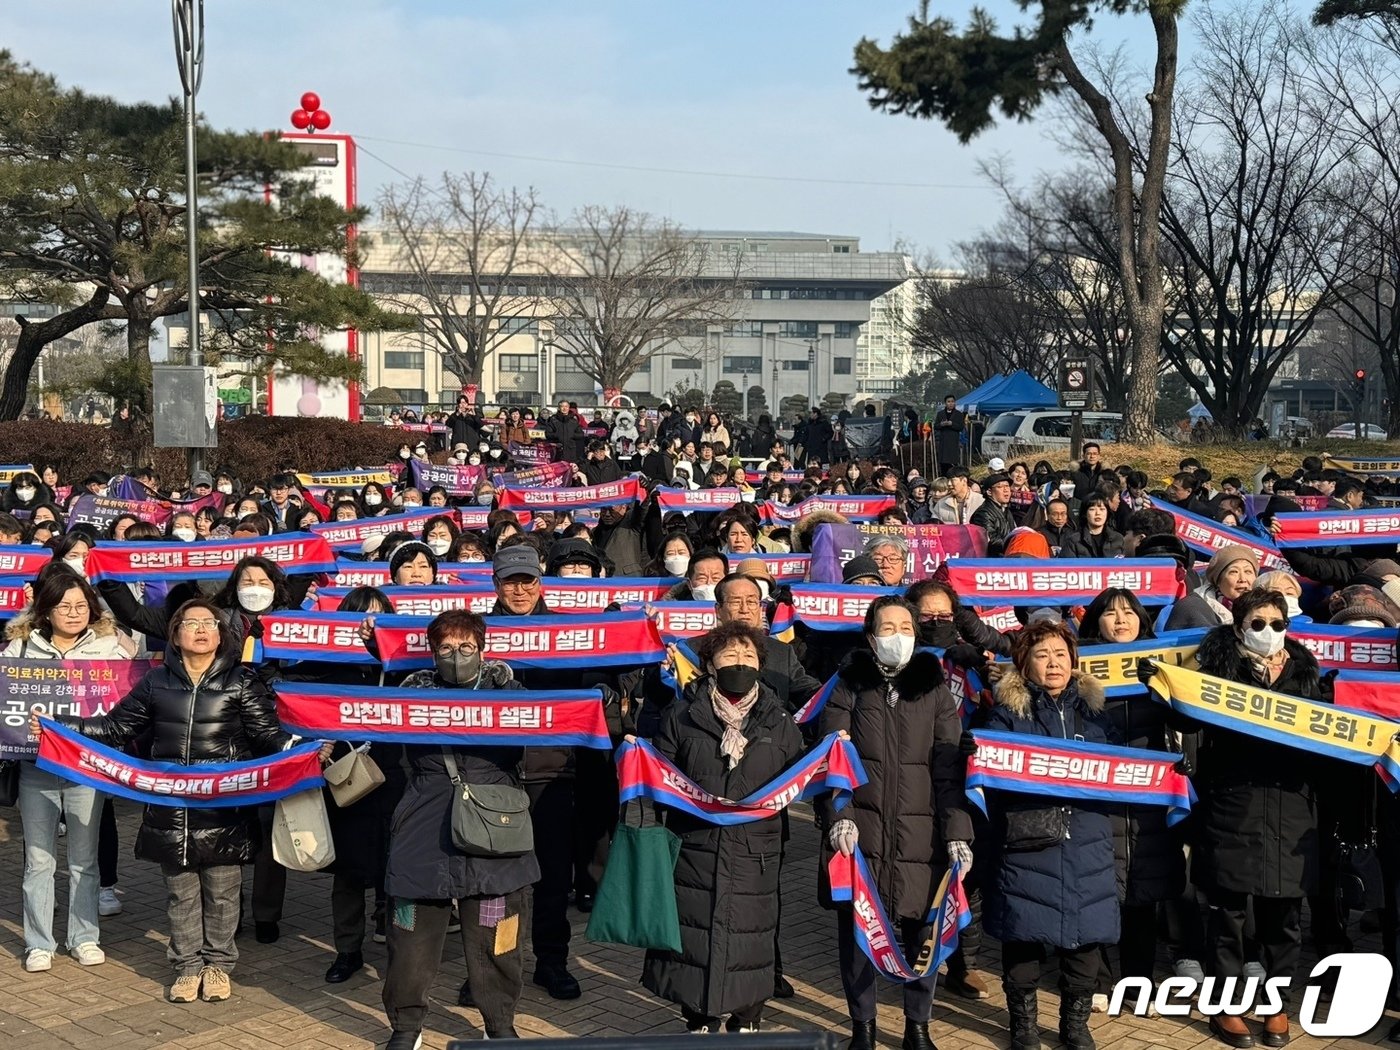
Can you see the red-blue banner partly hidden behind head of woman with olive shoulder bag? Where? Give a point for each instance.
(589, 640)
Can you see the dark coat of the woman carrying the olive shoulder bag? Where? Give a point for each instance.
(423, 862)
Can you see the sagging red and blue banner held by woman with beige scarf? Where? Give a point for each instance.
(832, 766)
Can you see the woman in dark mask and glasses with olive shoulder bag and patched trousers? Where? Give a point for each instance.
(426, 873)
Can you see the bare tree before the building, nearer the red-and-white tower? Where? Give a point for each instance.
(465, 244)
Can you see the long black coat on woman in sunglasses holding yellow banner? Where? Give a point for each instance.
(1256, 821)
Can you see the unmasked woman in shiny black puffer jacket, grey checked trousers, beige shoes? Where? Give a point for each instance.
(201, 706)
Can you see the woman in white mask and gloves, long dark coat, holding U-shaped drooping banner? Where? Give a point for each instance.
(909, 820)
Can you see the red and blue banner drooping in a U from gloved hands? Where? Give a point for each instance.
(878, 937)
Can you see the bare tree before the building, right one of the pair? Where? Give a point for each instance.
(625, 288)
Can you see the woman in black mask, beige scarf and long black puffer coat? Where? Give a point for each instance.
(731, 736)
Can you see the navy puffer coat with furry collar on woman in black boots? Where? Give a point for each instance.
(1063, 895)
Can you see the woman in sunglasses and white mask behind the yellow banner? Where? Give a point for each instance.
(1256, 825)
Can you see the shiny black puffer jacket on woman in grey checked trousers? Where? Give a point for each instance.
(229, 716)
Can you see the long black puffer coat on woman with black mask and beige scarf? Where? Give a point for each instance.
(727, 877)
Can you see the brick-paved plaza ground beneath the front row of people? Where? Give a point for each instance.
(282, 1002)
